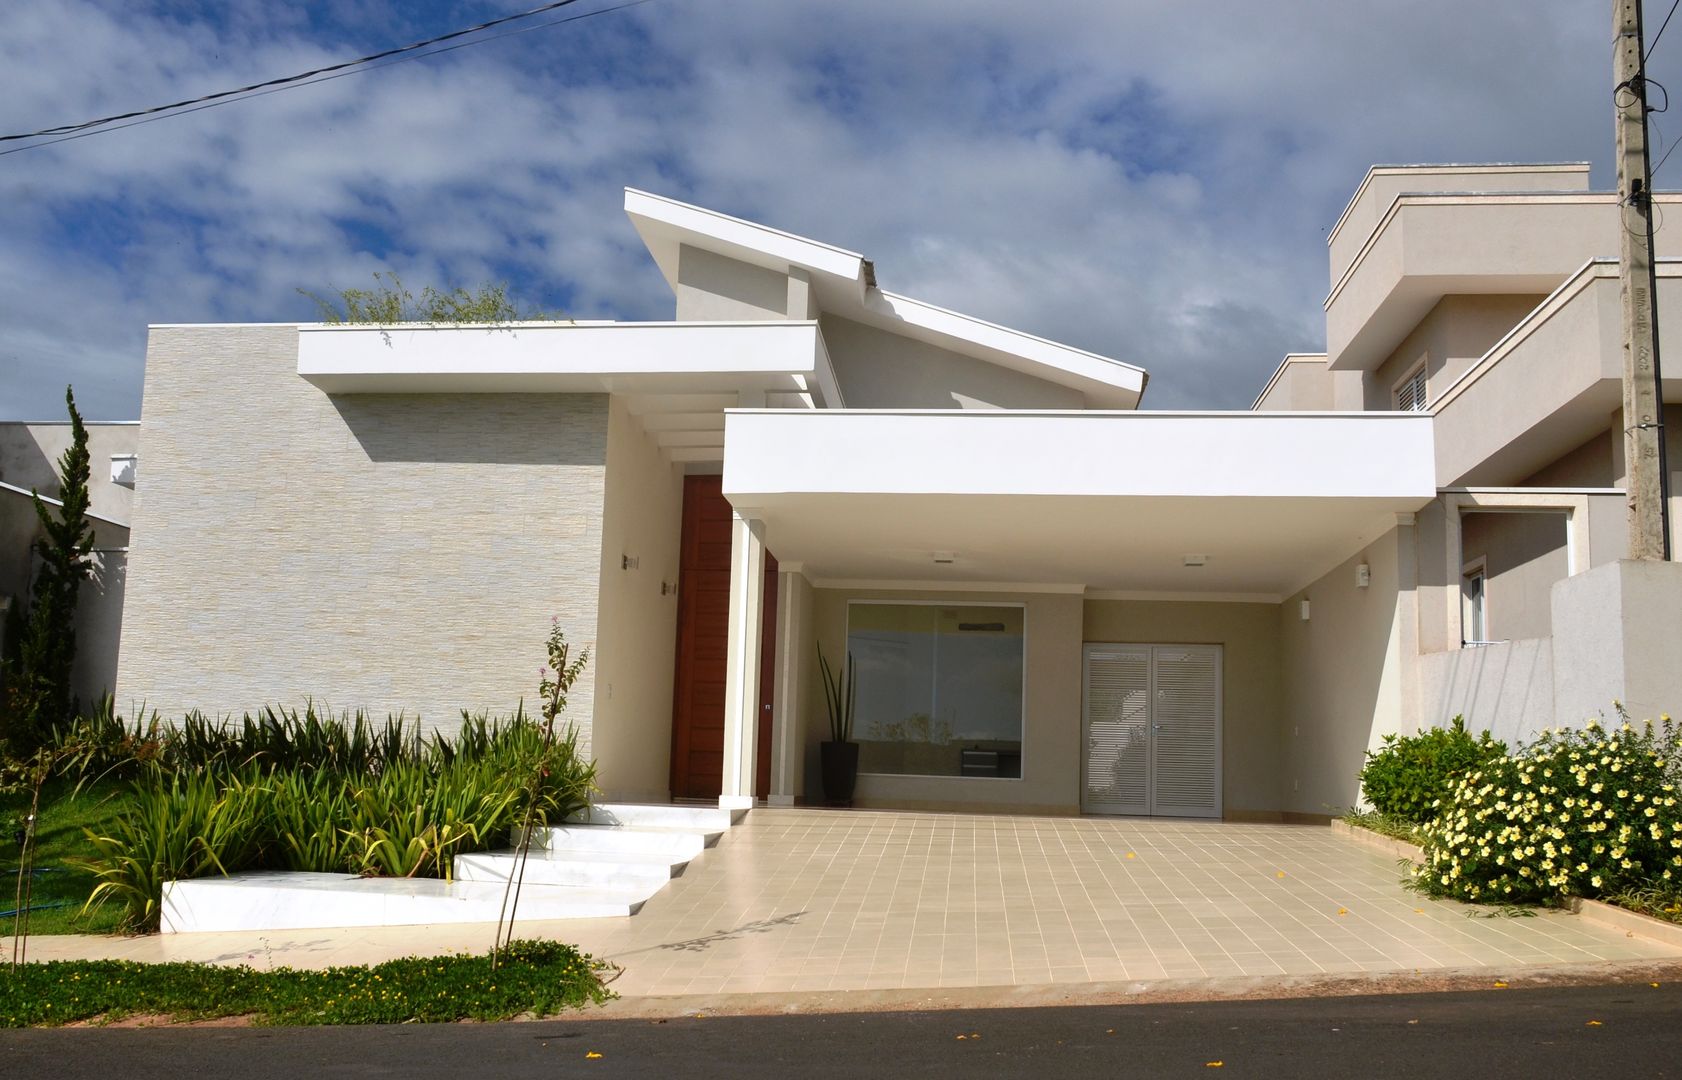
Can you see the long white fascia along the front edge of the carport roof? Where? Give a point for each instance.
(1177, 455)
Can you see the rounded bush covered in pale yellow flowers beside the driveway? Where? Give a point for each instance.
(1577, 813)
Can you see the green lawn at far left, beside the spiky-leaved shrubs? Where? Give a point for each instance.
(60, 844)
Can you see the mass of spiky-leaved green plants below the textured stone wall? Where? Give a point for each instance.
(314, 793)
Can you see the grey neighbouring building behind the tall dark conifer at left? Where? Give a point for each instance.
(29, 462)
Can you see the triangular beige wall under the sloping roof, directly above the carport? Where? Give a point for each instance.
(882, 371)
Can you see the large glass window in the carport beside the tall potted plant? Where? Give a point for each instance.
(939, 689)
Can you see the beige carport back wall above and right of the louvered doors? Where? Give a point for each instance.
(1251, 684)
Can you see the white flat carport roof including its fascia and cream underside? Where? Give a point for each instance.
(1099, 500)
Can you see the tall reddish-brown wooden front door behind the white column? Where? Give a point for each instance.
(704, 630)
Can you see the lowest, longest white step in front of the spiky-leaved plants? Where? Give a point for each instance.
(278, 901)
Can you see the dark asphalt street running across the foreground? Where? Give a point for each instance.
(1631, 1030)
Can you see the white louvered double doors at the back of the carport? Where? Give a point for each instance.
(1151, 726)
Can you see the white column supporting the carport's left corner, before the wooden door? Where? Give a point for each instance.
(748, 586)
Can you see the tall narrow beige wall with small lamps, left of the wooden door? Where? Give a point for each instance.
(638, 622)
